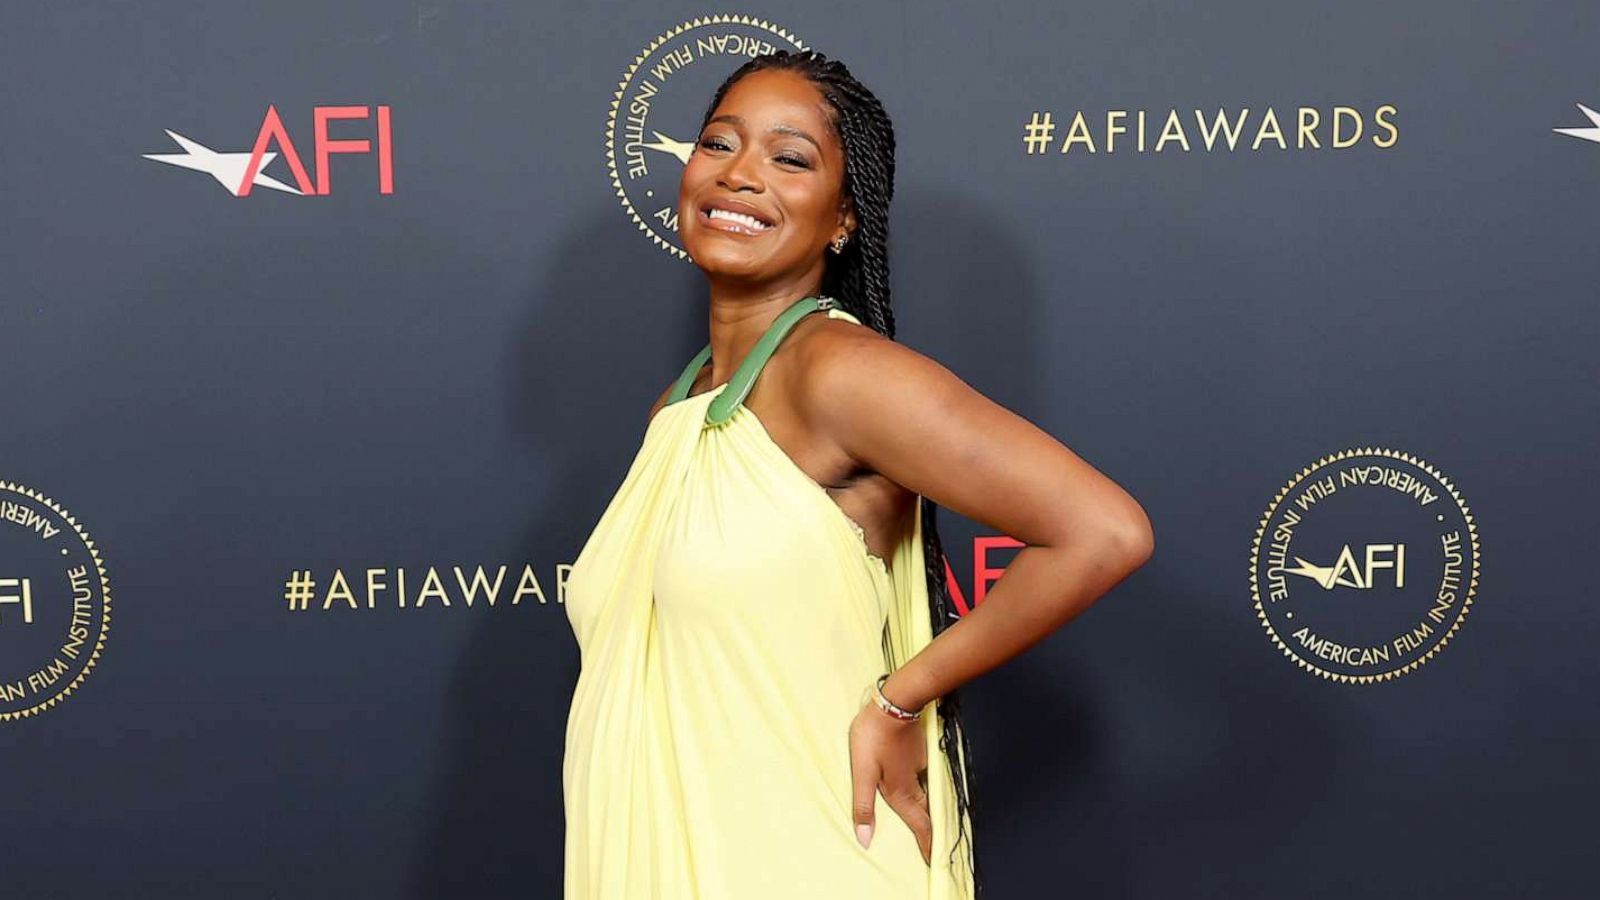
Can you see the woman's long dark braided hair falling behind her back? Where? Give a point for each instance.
(860, 279)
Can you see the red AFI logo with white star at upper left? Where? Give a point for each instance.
(241, 172)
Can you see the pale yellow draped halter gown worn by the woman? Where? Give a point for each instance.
(729, 616)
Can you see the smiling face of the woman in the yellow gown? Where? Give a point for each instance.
(769, 153)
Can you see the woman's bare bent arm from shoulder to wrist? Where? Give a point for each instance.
(914, 422)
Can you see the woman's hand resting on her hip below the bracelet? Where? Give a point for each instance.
(890, 755)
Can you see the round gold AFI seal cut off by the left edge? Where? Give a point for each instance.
(55, 603)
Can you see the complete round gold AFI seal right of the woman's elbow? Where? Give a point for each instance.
(1364, 566)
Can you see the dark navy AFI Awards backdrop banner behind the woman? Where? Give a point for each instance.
(329, 332)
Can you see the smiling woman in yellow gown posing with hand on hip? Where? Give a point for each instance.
(772, 553)
